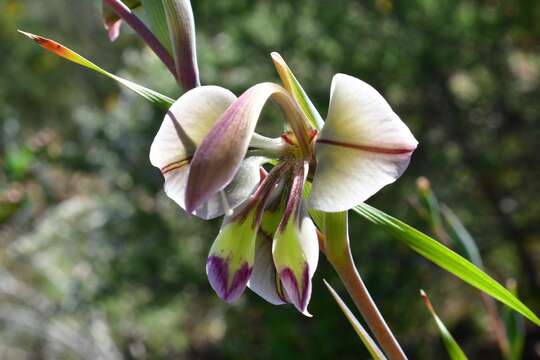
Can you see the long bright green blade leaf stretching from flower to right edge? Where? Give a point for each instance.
(444, 257)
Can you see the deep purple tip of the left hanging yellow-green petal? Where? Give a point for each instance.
(217, 269)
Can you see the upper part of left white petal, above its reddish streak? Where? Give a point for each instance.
(187, 122)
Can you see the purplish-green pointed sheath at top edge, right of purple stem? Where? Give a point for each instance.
(181, 25)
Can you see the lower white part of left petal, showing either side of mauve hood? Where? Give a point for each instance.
(242, 186)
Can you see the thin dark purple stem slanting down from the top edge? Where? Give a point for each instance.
(136, 24)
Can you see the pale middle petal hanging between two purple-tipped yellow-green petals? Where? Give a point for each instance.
(263, 277)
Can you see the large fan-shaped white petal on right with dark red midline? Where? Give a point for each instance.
(362, 147)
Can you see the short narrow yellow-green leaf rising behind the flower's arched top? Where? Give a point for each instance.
(295, 89)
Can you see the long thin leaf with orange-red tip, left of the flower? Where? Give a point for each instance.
(62, 51)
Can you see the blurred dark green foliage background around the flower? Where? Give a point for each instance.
(96, 262)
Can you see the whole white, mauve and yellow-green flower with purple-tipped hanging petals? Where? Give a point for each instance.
(212, 159)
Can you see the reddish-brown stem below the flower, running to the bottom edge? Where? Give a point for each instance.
(356, 288)
